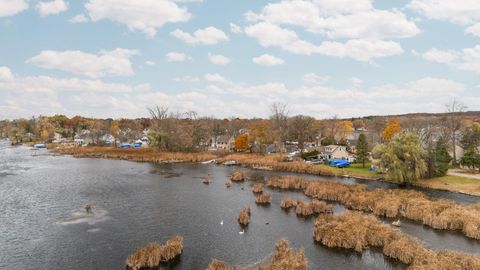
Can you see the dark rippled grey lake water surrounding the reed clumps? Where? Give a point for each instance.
(43, 224)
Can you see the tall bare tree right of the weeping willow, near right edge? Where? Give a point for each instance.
(453, 124)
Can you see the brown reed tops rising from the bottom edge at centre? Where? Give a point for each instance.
(284, 258)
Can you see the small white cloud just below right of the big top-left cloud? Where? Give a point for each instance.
(206, 36)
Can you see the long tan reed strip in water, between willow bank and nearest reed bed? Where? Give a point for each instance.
(414, 205)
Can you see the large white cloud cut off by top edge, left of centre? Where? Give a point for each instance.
(142, 15)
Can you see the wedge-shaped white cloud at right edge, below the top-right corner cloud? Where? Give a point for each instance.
(465, 59)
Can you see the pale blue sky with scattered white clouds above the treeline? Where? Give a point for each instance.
(323, 58)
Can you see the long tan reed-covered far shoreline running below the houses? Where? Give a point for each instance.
(248, 160)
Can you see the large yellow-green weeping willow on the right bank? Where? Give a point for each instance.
(402, 158)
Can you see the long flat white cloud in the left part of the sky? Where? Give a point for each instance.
(105, 63)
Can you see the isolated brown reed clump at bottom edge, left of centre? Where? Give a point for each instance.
(153, 254)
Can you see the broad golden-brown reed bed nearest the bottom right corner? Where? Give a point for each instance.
(354, 230)
